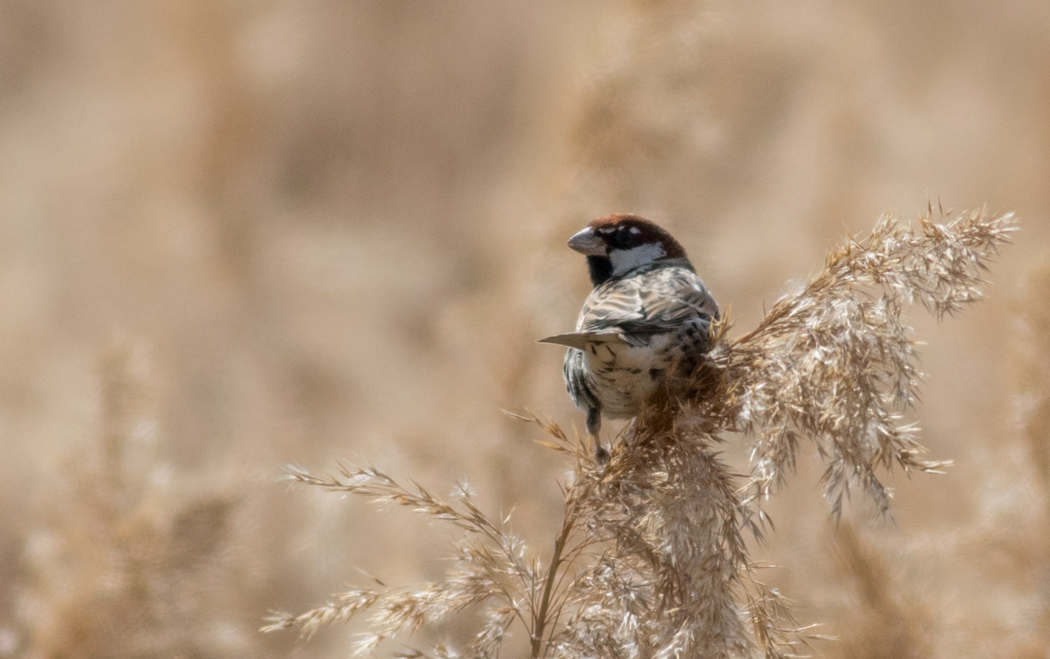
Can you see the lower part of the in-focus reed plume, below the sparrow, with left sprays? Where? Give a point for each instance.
(649, 562)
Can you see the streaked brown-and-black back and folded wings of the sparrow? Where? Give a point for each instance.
(655, 303)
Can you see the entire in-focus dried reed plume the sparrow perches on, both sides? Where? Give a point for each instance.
(652, 558)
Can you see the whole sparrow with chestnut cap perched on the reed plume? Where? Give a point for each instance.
(644, 328)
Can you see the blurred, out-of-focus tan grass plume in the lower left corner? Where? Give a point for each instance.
(123, 565)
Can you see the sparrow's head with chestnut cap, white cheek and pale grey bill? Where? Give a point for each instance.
(617, 245)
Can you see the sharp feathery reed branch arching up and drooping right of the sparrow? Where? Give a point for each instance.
(834, 363)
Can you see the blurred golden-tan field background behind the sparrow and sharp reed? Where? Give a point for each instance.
(239, 236)
